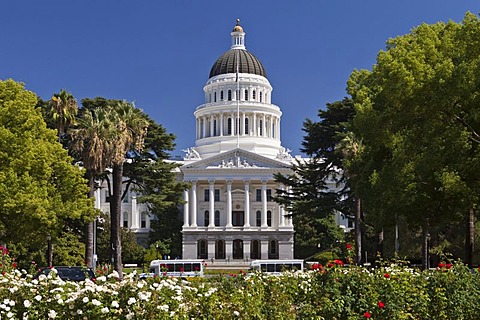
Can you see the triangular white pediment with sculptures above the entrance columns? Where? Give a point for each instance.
(236, 159)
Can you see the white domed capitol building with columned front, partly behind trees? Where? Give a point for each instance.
(229, 213)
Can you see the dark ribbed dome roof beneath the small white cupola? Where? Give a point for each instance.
(227, 63)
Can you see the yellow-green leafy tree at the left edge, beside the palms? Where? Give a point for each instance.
(40, 189)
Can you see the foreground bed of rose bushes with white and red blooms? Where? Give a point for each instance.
(391, 291)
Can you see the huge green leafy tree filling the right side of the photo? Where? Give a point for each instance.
(417, 117)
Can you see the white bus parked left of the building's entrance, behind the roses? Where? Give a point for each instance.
(177, 268)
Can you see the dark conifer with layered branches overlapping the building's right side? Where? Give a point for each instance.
(317, 188)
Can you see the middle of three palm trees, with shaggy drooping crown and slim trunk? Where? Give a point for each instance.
(91, 139)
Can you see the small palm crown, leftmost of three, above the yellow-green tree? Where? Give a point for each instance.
(63, 109)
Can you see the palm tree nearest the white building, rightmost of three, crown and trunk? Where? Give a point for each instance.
(130, 130)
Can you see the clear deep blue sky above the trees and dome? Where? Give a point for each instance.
(158, 53)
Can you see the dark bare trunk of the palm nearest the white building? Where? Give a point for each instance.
(115, 216)
